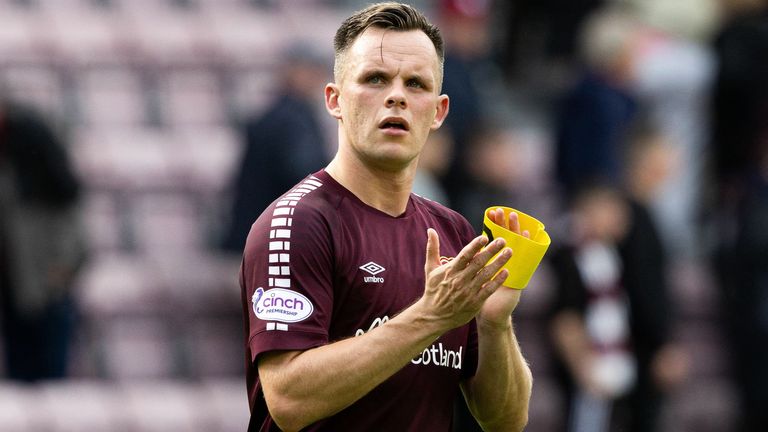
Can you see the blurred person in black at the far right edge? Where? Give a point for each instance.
(740, 147)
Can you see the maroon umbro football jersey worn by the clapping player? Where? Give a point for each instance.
(321, 266)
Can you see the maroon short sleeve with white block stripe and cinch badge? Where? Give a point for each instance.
(286, 278)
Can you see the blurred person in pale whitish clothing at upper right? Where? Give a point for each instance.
(673, 77)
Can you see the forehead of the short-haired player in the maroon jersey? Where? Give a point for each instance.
(377, 47)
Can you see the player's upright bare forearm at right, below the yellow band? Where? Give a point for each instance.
(499, 393)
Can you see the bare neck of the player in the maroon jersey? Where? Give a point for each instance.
(387, 191)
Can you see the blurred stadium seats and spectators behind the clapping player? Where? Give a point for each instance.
(140, 138)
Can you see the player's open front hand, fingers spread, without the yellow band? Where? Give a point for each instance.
(455, 291)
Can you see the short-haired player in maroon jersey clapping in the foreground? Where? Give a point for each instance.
(347, 326)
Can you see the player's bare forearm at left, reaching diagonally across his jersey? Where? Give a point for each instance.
(320, 382)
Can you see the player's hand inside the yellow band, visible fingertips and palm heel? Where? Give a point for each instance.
(498, 308)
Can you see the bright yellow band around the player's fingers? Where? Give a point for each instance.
(527, 253)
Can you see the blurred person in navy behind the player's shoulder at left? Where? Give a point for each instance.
(282, 145)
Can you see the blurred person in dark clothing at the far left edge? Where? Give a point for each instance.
(41, 246)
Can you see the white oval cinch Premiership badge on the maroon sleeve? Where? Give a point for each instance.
(278, 304)
